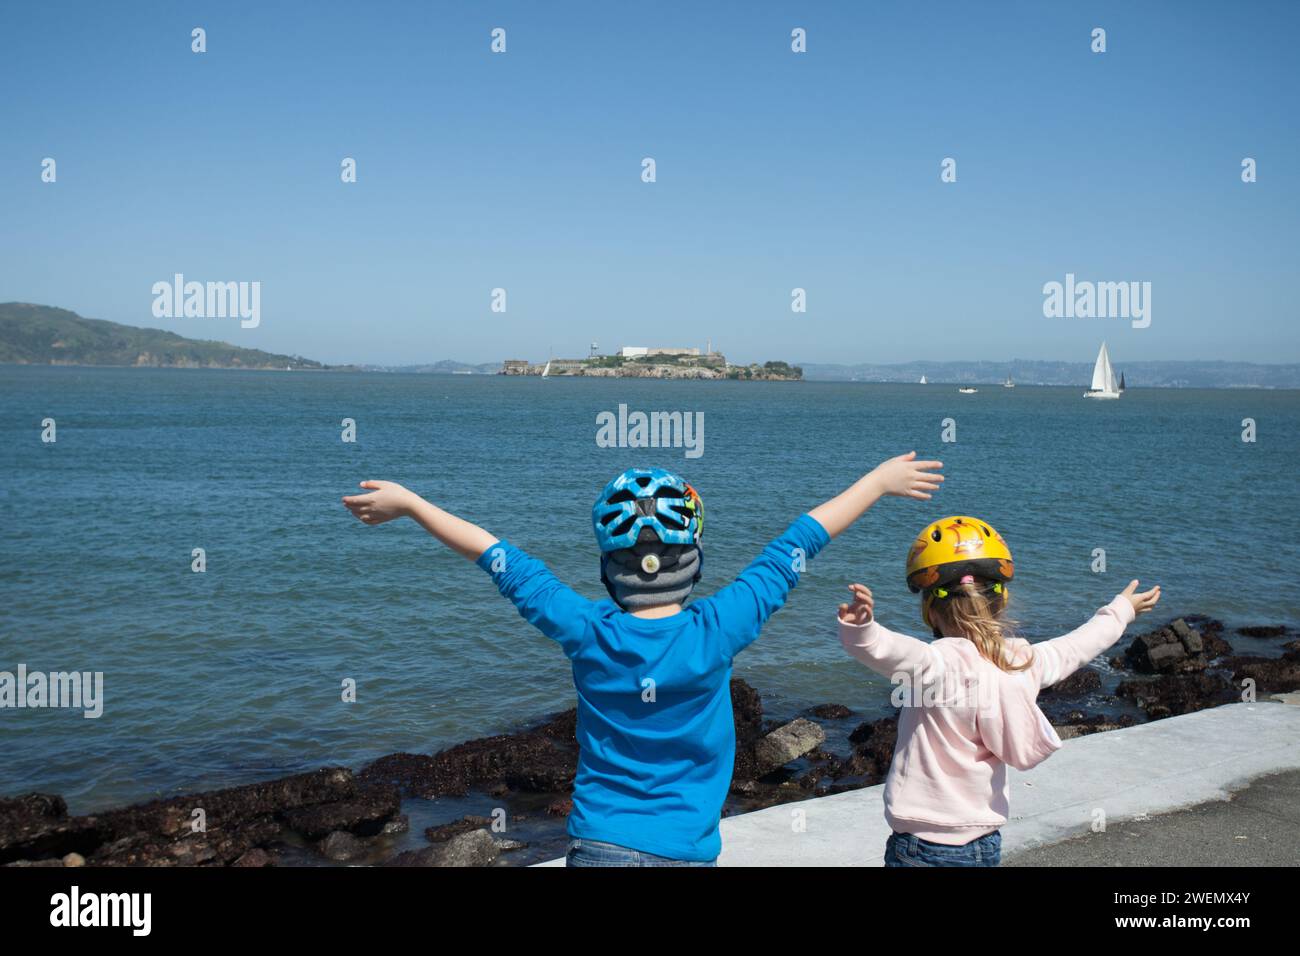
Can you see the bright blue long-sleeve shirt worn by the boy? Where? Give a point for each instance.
(655, 720)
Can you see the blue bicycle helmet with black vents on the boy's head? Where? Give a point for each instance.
(644, 503)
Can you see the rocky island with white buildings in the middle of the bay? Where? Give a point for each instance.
(648, 362)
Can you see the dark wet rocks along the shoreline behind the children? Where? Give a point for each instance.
(523, 781)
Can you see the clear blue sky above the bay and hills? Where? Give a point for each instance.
(523, 171)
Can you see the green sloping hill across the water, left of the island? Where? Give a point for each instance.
(47, 336)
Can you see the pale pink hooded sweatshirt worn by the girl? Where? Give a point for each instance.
(964, 720)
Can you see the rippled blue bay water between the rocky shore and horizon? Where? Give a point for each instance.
(235, 676)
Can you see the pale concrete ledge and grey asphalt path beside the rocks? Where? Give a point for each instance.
(1191, 762)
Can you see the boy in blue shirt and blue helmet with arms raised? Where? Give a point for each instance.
(656, 733)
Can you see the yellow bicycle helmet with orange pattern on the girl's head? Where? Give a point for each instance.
(956, 548)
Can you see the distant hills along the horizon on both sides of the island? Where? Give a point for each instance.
(45, 336)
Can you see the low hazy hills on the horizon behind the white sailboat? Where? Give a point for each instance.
(1164, 375)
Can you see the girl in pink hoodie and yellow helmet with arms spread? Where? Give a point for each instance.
(969, 698)
